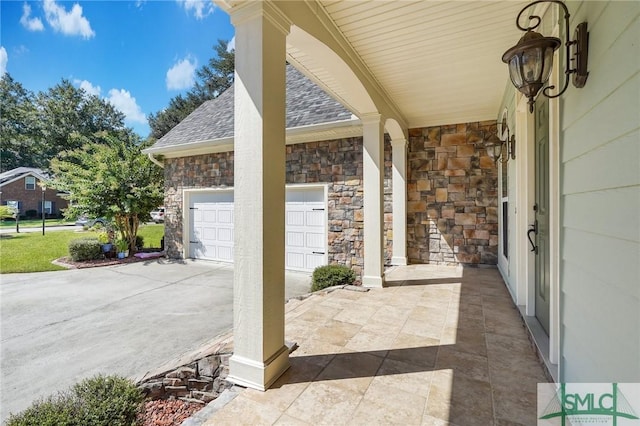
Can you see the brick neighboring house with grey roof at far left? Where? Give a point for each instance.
(22, 187)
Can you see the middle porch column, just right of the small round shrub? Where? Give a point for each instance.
(373, 187)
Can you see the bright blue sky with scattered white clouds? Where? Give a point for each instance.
(136, 54)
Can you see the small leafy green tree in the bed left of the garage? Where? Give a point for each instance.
(110, 178)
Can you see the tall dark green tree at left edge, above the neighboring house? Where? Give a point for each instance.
(19, 143)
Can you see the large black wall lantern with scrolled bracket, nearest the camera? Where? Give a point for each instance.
(530, 61)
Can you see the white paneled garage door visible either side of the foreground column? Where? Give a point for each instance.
(211, 235)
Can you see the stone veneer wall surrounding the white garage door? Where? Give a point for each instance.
(337, 163)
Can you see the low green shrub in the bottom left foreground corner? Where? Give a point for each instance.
(97, 401)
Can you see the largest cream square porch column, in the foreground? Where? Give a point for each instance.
(260, 355)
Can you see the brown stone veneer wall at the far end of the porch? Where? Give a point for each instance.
(452, 211)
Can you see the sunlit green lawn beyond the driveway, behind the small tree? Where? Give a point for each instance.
(33, 252)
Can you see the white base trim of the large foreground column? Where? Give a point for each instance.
(258, 375)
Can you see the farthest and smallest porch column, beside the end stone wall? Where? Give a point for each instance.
(399, 178)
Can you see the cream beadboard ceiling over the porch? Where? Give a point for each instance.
(438, 61)
